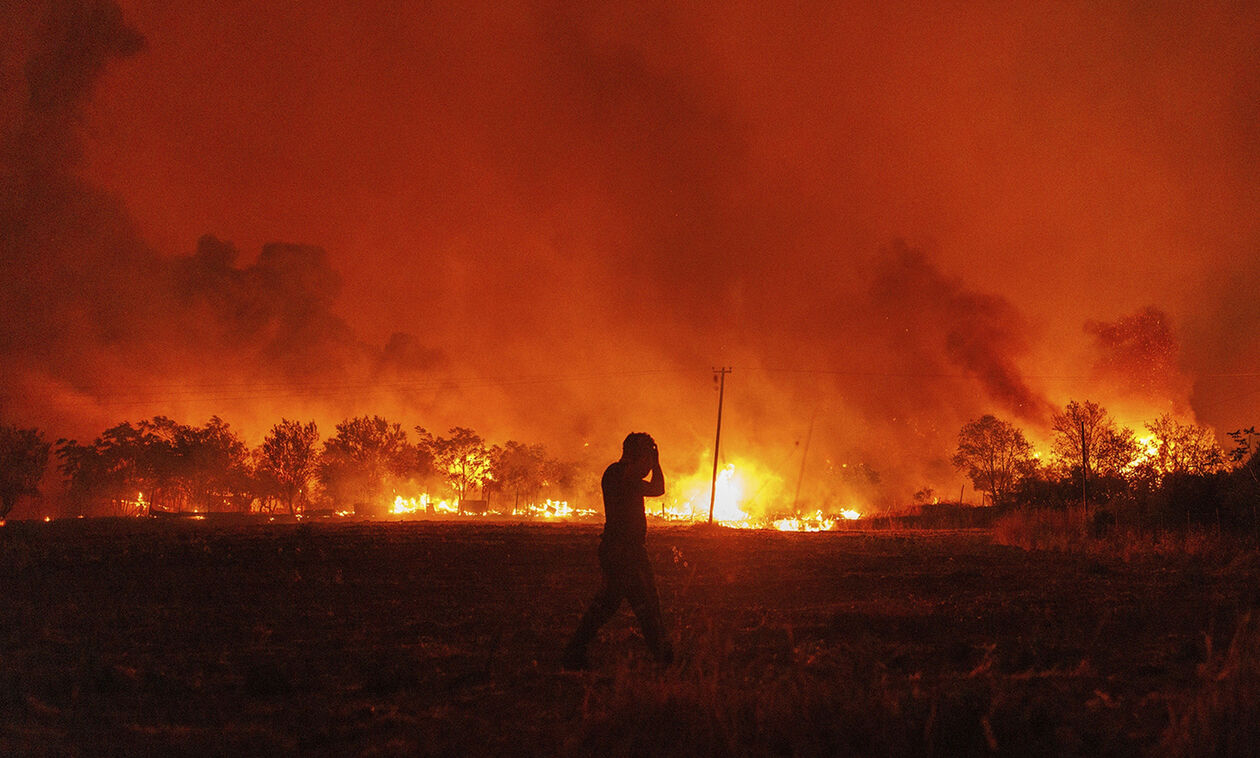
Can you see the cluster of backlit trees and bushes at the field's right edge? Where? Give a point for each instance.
(1176, 474)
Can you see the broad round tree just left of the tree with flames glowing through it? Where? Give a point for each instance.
(362, 456)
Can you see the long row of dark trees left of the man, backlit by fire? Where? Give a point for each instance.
(159, 465)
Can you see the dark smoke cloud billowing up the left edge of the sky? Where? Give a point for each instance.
(99, 327)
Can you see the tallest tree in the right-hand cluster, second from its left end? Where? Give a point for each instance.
(1089, 443)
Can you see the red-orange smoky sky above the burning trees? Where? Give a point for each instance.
(550, 221)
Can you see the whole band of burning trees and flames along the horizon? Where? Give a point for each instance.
(370, 468)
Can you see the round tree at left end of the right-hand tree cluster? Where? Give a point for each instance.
(995, 455)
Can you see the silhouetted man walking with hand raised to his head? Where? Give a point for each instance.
(623, 556)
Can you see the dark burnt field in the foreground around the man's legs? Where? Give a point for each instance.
(392, 639)
